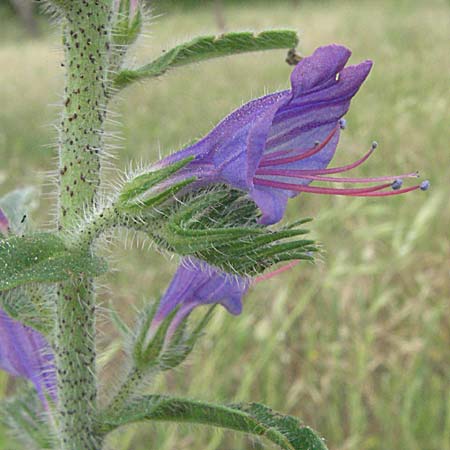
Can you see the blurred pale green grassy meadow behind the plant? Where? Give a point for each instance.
(357, 345)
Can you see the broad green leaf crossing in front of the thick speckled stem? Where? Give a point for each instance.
(42, 257)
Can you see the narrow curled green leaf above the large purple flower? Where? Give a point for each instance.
(208, 47)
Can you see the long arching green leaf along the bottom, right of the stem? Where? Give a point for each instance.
(253, 418)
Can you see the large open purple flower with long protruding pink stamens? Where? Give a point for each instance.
(275, 146)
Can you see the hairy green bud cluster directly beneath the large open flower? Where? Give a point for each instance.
(221, 227)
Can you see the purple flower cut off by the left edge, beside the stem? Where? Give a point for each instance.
(25, 353)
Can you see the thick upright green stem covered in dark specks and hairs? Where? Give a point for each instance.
(86, 46)
